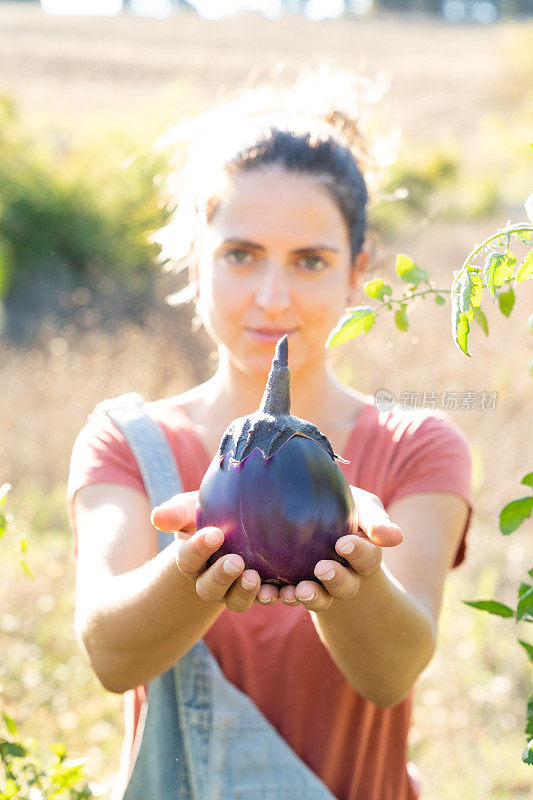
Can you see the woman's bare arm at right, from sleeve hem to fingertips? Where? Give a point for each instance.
(379, 617)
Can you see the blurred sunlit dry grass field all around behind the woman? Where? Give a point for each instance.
(72, 77)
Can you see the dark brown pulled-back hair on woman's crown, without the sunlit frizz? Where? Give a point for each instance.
(323, 156)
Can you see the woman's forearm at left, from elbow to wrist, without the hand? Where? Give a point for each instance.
(139, 623)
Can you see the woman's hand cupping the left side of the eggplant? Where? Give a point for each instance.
(226, 581)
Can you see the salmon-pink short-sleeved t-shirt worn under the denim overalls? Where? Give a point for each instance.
(274, 654)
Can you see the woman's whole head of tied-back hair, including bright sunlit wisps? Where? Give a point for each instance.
(312, 128)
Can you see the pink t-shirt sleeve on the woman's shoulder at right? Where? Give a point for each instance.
(433, 456)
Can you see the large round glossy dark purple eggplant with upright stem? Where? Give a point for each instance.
(275, 489)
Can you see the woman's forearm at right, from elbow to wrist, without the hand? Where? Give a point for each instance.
(381, 639)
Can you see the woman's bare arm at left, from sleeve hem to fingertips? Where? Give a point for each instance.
(139, 611)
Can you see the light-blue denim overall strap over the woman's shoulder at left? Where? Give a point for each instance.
(150, 448)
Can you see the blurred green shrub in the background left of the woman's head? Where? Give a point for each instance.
(78, 212)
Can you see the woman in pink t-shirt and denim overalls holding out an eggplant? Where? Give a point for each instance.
(278, 248)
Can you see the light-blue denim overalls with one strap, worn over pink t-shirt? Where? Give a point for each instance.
(199, 737)
